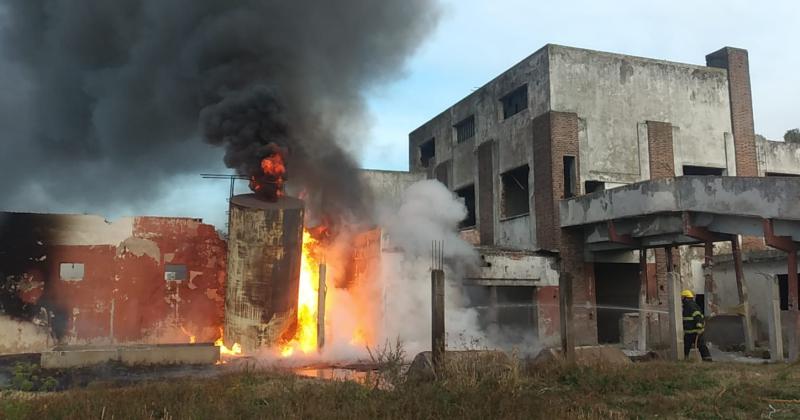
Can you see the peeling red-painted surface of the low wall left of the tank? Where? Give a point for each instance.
(123, 294)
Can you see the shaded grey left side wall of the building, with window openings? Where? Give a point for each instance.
(511, 146)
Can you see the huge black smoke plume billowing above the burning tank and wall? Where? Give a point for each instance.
(104, 101)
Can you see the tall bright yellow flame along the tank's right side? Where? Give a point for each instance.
(305, 338)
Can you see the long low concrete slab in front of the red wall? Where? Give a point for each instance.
(82, 356)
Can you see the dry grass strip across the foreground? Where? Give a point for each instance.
(481, 391)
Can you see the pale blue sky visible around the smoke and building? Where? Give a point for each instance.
(477, 40)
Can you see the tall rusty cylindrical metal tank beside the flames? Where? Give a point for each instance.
(265, 240)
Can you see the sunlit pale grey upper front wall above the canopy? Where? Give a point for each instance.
(613, 94)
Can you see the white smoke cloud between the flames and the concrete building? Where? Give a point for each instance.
(429, 212)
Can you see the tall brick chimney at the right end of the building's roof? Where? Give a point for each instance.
(735, 60)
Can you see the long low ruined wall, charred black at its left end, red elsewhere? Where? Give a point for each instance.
(116, 290)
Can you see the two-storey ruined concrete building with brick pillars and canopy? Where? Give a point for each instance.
(567, 122)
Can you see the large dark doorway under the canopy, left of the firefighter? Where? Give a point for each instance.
(617, 293)
